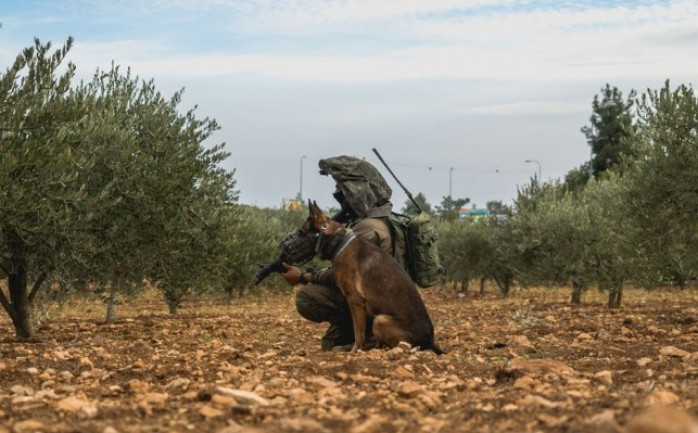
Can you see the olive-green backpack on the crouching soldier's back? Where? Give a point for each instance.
(415, 247)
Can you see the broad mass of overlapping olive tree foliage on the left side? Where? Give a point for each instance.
(106, 182)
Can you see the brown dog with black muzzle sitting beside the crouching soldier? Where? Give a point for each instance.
(374, 285)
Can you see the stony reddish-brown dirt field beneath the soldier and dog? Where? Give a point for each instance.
(531, 363)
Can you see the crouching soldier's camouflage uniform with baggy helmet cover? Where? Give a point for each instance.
(368, 195)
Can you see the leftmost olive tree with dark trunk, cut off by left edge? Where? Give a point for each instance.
(42, 160)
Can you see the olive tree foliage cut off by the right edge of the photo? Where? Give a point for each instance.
(662, 197)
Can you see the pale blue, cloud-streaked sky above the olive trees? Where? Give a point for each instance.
(467, 98)
